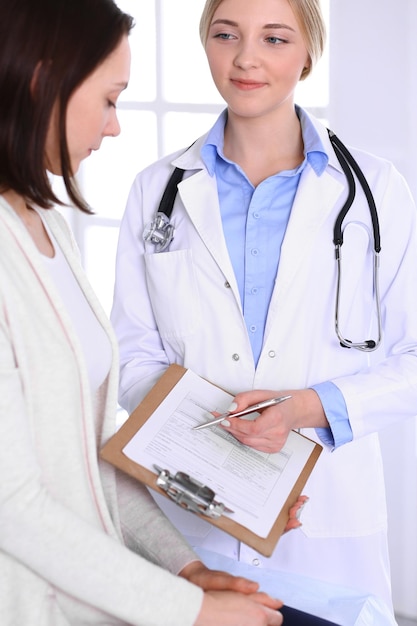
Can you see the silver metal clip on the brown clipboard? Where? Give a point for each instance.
(190, 494)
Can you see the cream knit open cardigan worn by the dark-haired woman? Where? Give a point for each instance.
(79, 543)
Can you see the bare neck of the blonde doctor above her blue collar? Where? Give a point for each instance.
(261, 148)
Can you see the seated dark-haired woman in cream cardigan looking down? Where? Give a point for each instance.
(79, 544)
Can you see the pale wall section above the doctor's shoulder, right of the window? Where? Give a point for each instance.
(373, 69)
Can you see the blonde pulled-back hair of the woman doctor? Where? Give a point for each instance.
(308, 14)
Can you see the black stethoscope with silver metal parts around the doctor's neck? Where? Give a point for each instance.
(160, 232)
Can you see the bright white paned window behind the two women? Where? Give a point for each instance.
(170, 101)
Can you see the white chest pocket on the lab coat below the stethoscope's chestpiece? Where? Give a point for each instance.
(173, 291)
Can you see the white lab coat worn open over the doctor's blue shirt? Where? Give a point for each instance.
(183, 306)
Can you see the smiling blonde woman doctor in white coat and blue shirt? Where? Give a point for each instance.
(245, 293)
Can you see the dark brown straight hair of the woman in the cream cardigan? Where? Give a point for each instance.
(47, 49)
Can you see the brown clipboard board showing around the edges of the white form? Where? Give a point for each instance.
(113, 453)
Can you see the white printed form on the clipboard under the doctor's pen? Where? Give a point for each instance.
(254, 485)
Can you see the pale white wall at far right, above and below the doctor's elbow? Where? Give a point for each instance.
(373, 105)
